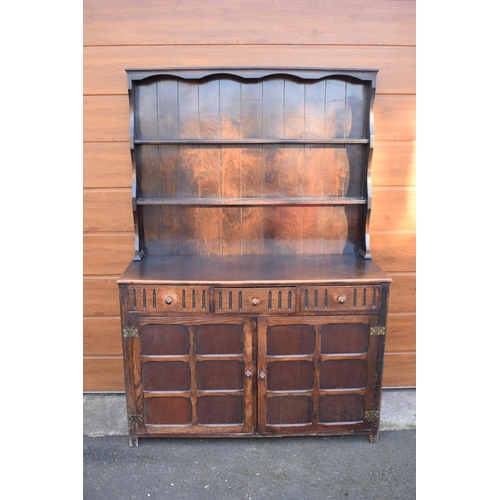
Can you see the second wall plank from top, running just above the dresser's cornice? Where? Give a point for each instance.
(103, 71)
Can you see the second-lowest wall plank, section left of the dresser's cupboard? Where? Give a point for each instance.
(102, 337)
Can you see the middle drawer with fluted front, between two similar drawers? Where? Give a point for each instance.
(254, 300)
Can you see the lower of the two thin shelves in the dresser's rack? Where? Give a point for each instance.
(252, 201)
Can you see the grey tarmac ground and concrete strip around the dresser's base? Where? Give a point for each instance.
(316, 468)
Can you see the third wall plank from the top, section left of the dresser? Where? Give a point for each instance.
(106, 118)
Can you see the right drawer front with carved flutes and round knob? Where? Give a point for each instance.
(340, 298)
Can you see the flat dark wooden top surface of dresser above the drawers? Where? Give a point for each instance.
(254, 270)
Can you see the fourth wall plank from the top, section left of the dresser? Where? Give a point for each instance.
(107, 165)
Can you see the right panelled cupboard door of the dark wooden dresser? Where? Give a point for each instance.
(317, 374)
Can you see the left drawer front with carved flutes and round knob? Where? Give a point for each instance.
(164, 299)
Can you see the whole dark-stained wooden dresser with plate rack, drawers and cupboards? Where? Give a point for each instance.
(290, 322)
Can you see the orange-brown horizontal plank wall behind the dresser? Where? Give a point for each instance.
(326, 33)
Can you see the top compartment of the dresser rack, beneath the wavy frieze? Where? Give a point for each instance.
(272, 110)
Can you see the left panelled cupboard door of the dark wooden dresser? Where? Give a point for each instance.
(196, 375)
